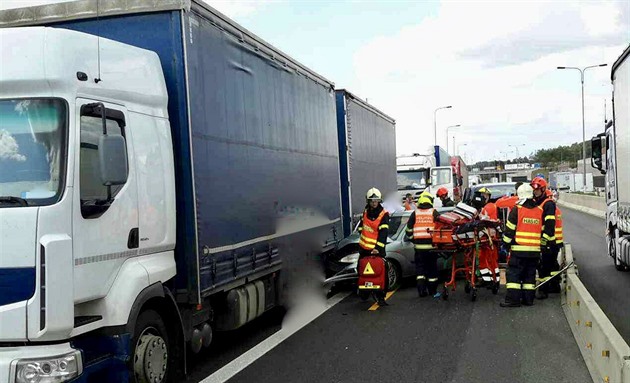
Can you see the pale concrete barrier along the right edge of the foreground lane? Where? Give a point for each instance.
(605, 352)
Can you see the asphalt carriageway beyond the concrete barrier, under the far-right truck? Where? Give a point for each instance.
(608, 286)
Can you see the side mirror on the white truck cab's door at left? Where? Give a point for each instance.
(112, 160)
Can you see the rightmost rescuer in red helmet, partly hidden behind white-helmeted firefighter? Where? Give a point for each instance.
(549, 265)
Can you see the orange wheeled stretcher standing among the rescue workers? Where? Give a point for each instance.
(460, 234)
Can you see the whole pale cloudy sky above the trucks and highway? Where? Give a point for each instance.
(494, 62)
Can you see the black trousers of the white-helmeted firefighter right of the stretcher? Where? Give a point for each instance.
(521, 278)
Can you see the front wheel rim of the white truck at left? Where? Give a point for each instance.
(151, 357)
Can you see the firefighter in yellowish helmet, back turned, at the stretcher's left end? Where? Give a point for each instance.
(419, 231)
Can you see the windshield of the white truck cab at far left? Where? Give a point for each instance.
(32, 144)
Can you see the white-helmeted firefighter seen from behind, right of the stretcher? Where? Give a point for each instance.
(523, 236)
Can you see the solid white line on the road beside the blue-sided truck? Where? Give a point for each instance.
(249, 357)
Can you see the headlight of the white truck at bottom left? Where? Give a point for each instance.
(49, 370)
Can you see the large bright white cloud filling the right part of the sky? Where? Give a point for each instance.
(496, 64)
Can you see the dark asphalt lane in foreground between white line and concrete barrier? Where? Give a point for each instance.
(427, 340)
